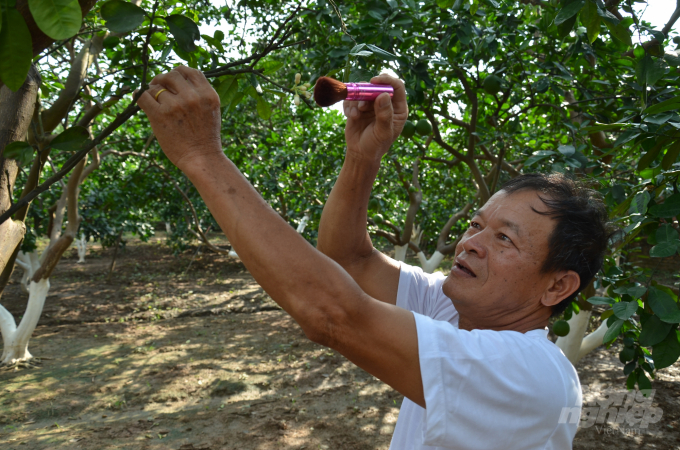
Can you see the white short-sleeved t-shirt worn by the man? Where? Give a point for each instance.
(484, 389)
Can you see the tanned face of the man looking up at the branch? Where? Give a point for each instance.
(498, 261)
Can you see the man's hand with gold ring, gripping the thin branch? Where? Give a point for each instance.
(185, 117)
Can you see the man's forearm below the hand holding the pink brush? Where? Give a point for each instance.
(342, 230)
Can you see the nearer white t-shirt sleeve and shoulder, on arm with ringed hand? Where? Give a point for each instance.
(483, 392)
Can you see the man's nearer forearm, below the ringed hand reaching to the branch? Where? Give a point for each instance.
(294, 274)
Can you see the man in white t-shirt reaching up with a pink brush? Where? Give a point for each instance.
(470, 351)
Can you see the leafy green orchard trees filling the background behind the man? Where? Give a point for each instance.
(585, 87)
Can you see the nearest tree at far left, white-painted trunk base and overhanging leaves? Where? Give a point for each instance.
(68, 72)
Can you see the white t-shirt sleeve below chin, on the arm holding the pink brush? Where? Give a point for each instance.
(422, 293)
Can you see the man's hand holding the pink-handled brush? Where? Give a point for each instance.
(373, 127)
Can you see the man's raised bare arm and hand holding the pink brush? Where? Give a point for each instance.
(370, 131)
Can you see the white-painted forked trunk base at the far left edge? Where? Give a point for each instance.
(15, 339)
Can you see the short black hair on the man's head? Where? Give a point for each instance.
(582, 232)
